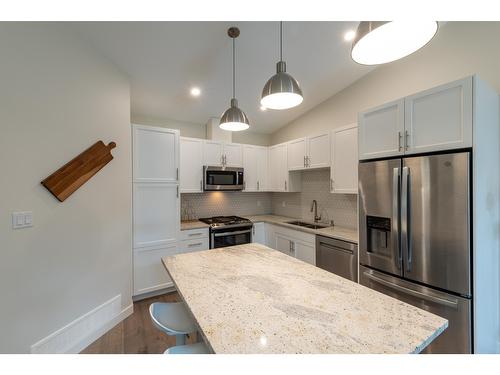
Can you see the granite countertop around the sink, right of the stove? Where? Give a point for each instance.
(340, 233)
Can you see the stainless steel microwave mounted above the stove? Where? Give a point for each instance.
(222, 178)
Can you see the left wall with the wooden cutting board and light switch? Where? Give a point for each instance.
(57, 97)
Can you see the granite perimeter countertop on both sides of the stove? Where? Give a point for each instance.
(337, 232)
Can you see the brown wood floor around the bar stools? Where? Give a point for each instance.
(136, 334)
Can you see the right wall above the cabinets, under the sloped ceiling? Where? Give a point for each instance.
(459, 49)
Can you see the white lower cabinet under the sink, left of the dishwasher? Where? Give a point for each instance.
(295, 243)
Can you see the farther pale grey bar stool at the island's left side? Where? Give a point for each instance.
(173, 319)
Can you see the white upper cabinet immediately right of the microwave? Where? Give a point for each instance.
(255, 162)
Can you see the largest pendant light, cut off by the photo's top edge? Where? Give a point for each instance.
(380, 42)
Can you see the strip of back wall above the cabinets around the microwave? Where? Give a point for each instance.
(199, 130)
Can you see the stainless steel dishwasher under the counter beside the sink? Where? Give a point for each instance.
(336, 256)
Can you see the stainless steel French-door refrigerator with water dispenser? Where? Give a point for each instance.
(415, 238)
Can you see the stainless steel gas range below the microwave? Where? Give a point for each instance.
(228, 231)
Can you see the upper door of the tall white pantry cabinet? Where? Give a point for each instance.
(155, 154)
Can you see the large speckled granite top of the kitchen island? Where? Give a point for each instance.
(252, 299)
